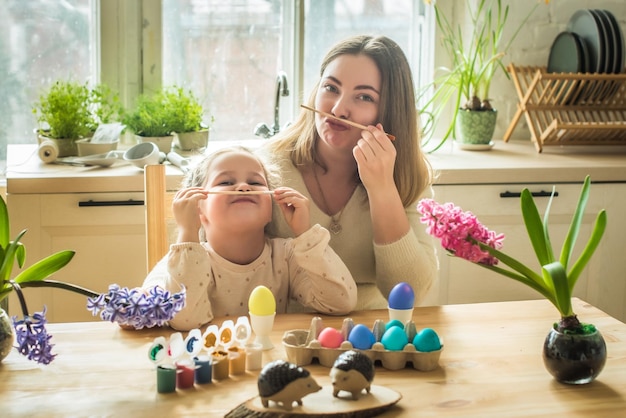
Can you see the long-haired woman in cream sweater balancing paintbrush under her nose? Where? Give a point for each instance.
(364, 188)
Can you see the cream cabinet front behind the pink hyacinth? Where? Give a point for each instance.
(602, 283)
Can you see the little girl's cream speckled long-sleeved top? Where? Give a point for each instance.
(305, 269)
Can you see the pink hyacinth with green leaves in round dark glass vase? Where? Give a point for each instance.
(574, 352)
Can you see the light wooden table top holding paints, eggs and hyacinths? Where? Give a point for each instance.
(491, 366)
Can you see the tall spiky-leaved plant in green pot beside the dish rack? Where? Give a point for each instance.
(475, 58)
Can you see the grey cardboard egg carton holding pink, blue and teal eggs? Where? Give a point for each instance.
(302, 347)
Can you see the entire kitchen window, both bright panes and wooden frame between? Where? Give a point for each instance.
(228, 52)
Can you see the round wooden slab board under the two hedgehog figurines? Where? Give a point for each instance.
(323, 404)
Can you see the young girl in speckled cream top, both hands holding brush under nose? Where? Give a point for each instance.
(223, 252)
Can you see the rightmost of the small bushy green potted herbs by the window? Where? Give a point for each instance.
(187, 118)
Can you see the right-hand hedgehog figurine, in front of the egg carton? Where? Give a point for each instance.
(352, 372)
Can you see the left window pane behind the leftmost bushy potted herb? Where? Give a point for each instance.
(40, 42)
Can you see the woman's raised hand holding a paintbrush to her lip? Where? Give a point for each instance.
(376, 157)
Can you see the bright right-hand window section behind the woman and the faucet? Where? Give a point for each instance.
(230, 52)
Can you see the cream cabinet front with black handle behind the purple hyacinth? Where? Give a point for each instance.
(105, 229)
